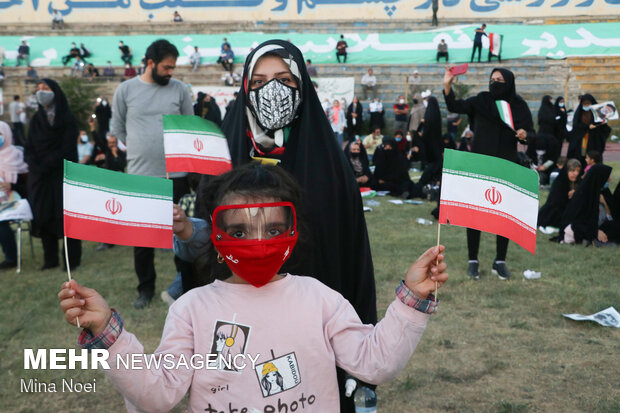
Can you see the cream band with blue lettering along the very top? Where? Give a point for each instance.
(34, 11)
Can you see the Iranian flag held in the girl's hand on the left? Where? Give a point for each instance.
(117, 208)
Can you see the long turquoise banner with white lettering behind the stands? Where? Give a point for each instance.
(552, 41)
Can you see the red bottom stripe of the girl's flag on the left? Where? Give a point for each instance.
(101, 231)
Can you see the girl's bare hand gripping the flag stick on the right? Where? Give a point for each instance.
(427, 270)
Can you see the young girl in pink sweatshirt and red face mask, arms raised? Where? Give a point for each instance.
(259, 340)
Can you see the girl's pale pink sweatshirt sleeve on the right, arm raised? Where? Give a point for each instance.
(375, 354)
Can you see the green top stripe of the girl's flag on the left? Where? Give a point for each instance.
(117, 182)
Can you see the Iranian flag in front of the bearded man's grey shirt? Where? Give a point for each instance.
(193, 144)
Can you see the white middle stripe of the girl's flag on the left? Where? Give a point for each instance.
(112, 206)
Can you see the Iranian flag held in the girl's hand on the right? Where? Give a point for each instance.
(490, 194)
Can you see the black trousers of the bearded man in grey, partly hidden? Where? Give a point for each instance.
(144, 257)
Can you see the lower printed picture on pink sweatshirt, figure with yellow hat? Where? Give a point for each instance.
(278, 374)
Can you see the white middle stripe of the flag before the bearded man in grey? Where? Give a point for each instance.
(198, 145)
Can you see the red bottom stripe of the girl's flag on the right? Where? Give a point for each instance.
(488, 220)
